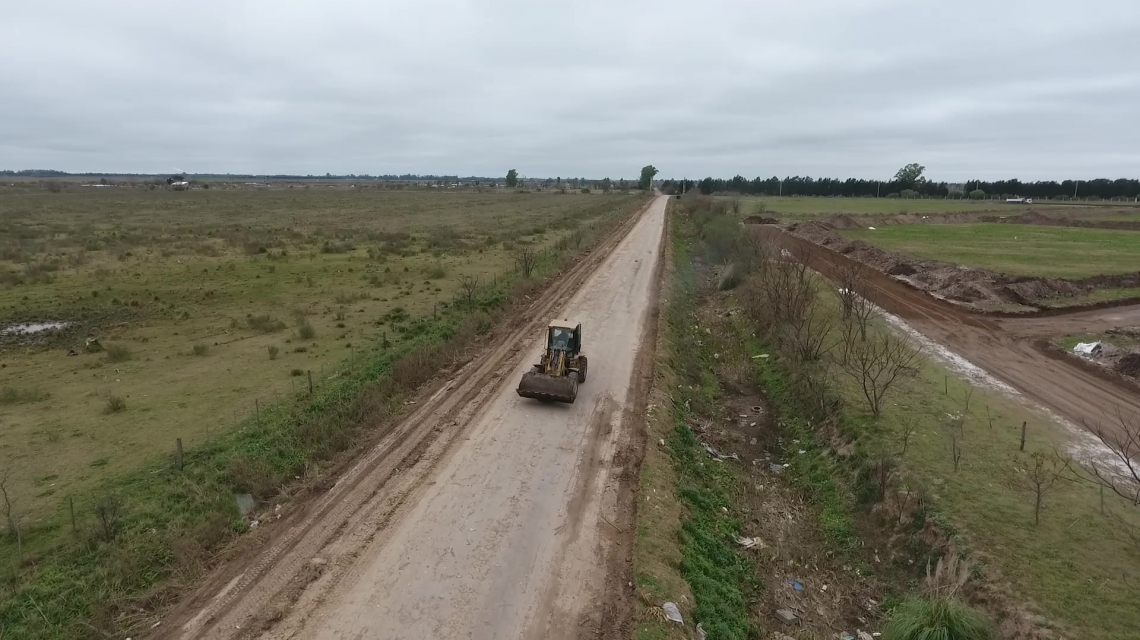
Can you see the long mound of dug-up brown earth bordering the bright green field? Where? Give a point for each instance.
(979, 290)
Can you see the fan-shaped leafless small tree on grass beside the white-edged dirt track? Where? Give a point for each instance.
(878, 363)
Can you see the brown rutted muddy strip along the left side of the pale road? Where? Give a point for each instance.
(264, 592)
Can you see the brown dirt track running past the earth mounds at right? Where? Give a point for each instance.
(1009, 350)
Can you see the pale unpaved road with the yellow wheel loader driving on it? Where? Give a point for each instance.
(484, 515)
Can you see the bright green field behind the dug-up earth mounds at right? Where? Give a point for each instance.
(1014, 249)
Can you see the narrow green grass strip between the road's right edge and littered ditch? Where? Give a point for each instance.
(688, 533)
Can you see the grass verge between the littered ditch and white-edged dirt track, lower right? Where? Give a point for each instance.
(1077, 565)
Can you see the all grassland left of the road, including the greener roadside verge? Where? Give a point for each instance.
(208, 325)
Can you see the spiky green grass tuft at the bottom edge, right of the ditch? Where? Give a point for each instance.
(937, 619)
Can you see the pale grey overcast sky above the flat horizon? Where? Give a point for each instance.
(1035, 90)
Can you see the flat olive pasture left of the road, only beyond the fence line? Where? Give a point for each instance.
(208, 304)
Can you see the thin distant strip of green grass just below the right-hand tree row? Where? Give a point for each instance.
(808, 208)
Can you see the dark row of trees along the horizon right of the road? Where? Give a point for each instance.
(908, 180)
